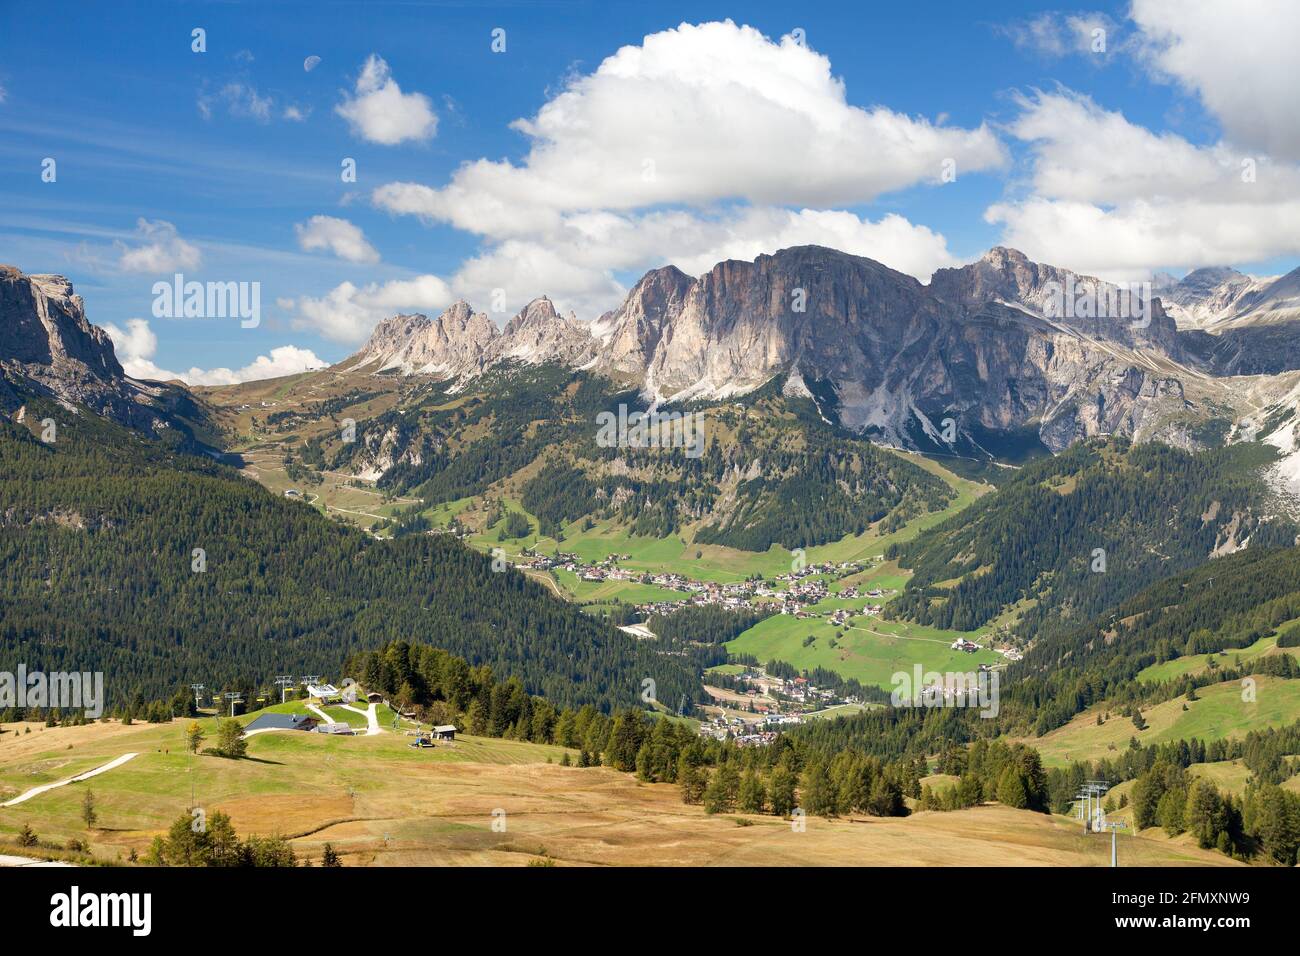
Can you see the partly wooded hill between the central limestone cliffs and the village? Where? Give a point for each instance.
(768, 470)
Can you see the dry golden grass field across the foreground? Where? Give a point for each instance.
(383, 803)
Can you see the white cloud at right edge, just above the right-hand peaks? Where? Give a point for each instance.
(1116, 200)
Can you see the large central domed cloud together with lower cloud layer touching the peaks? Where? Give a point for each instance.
(700, 144)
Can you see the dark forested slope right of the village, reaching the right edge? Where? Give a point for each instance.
(1074, 535)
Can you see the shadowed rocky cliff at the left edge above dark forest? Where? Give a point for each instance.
(47, 345)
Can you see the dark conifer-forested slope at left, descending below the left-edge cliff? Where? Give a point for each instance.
(98, 538)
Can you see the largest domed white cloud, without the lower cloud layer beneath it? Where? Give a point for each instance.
(697, 115)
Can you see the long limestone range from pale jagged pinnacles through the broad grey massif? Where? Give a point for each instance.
(993, 345)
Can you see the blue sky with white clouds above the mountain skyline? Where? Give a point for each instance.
(695, 145)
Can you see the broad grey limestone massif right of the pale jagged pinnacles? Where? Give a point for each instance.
(985, 345)
